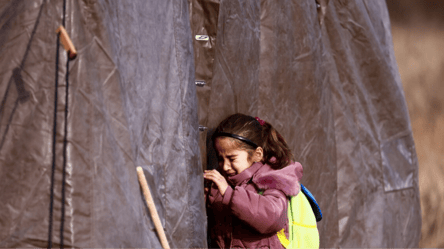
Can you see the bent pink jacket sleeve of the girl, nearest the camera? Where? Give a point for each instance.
(266, 213)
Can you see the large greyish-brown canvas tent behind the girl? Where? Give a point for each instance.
(323, 73)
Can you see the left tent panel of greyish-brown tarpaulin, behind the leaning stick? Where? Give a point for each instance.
(131, 103)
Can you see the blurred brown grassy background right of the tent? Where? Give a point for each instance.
(418, 37)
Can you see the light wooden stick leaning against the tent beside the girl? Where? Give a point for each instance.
(152, 208)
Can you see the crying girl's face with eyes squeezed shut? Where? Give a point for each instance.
(232, 159)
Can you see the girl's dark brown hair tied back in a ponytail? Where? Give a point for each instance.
(264, 136)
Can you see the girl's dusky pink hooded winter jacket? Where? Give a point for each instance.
(254, 209)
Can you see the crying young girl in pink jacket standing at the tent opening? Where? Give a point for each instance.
(256, 176)
